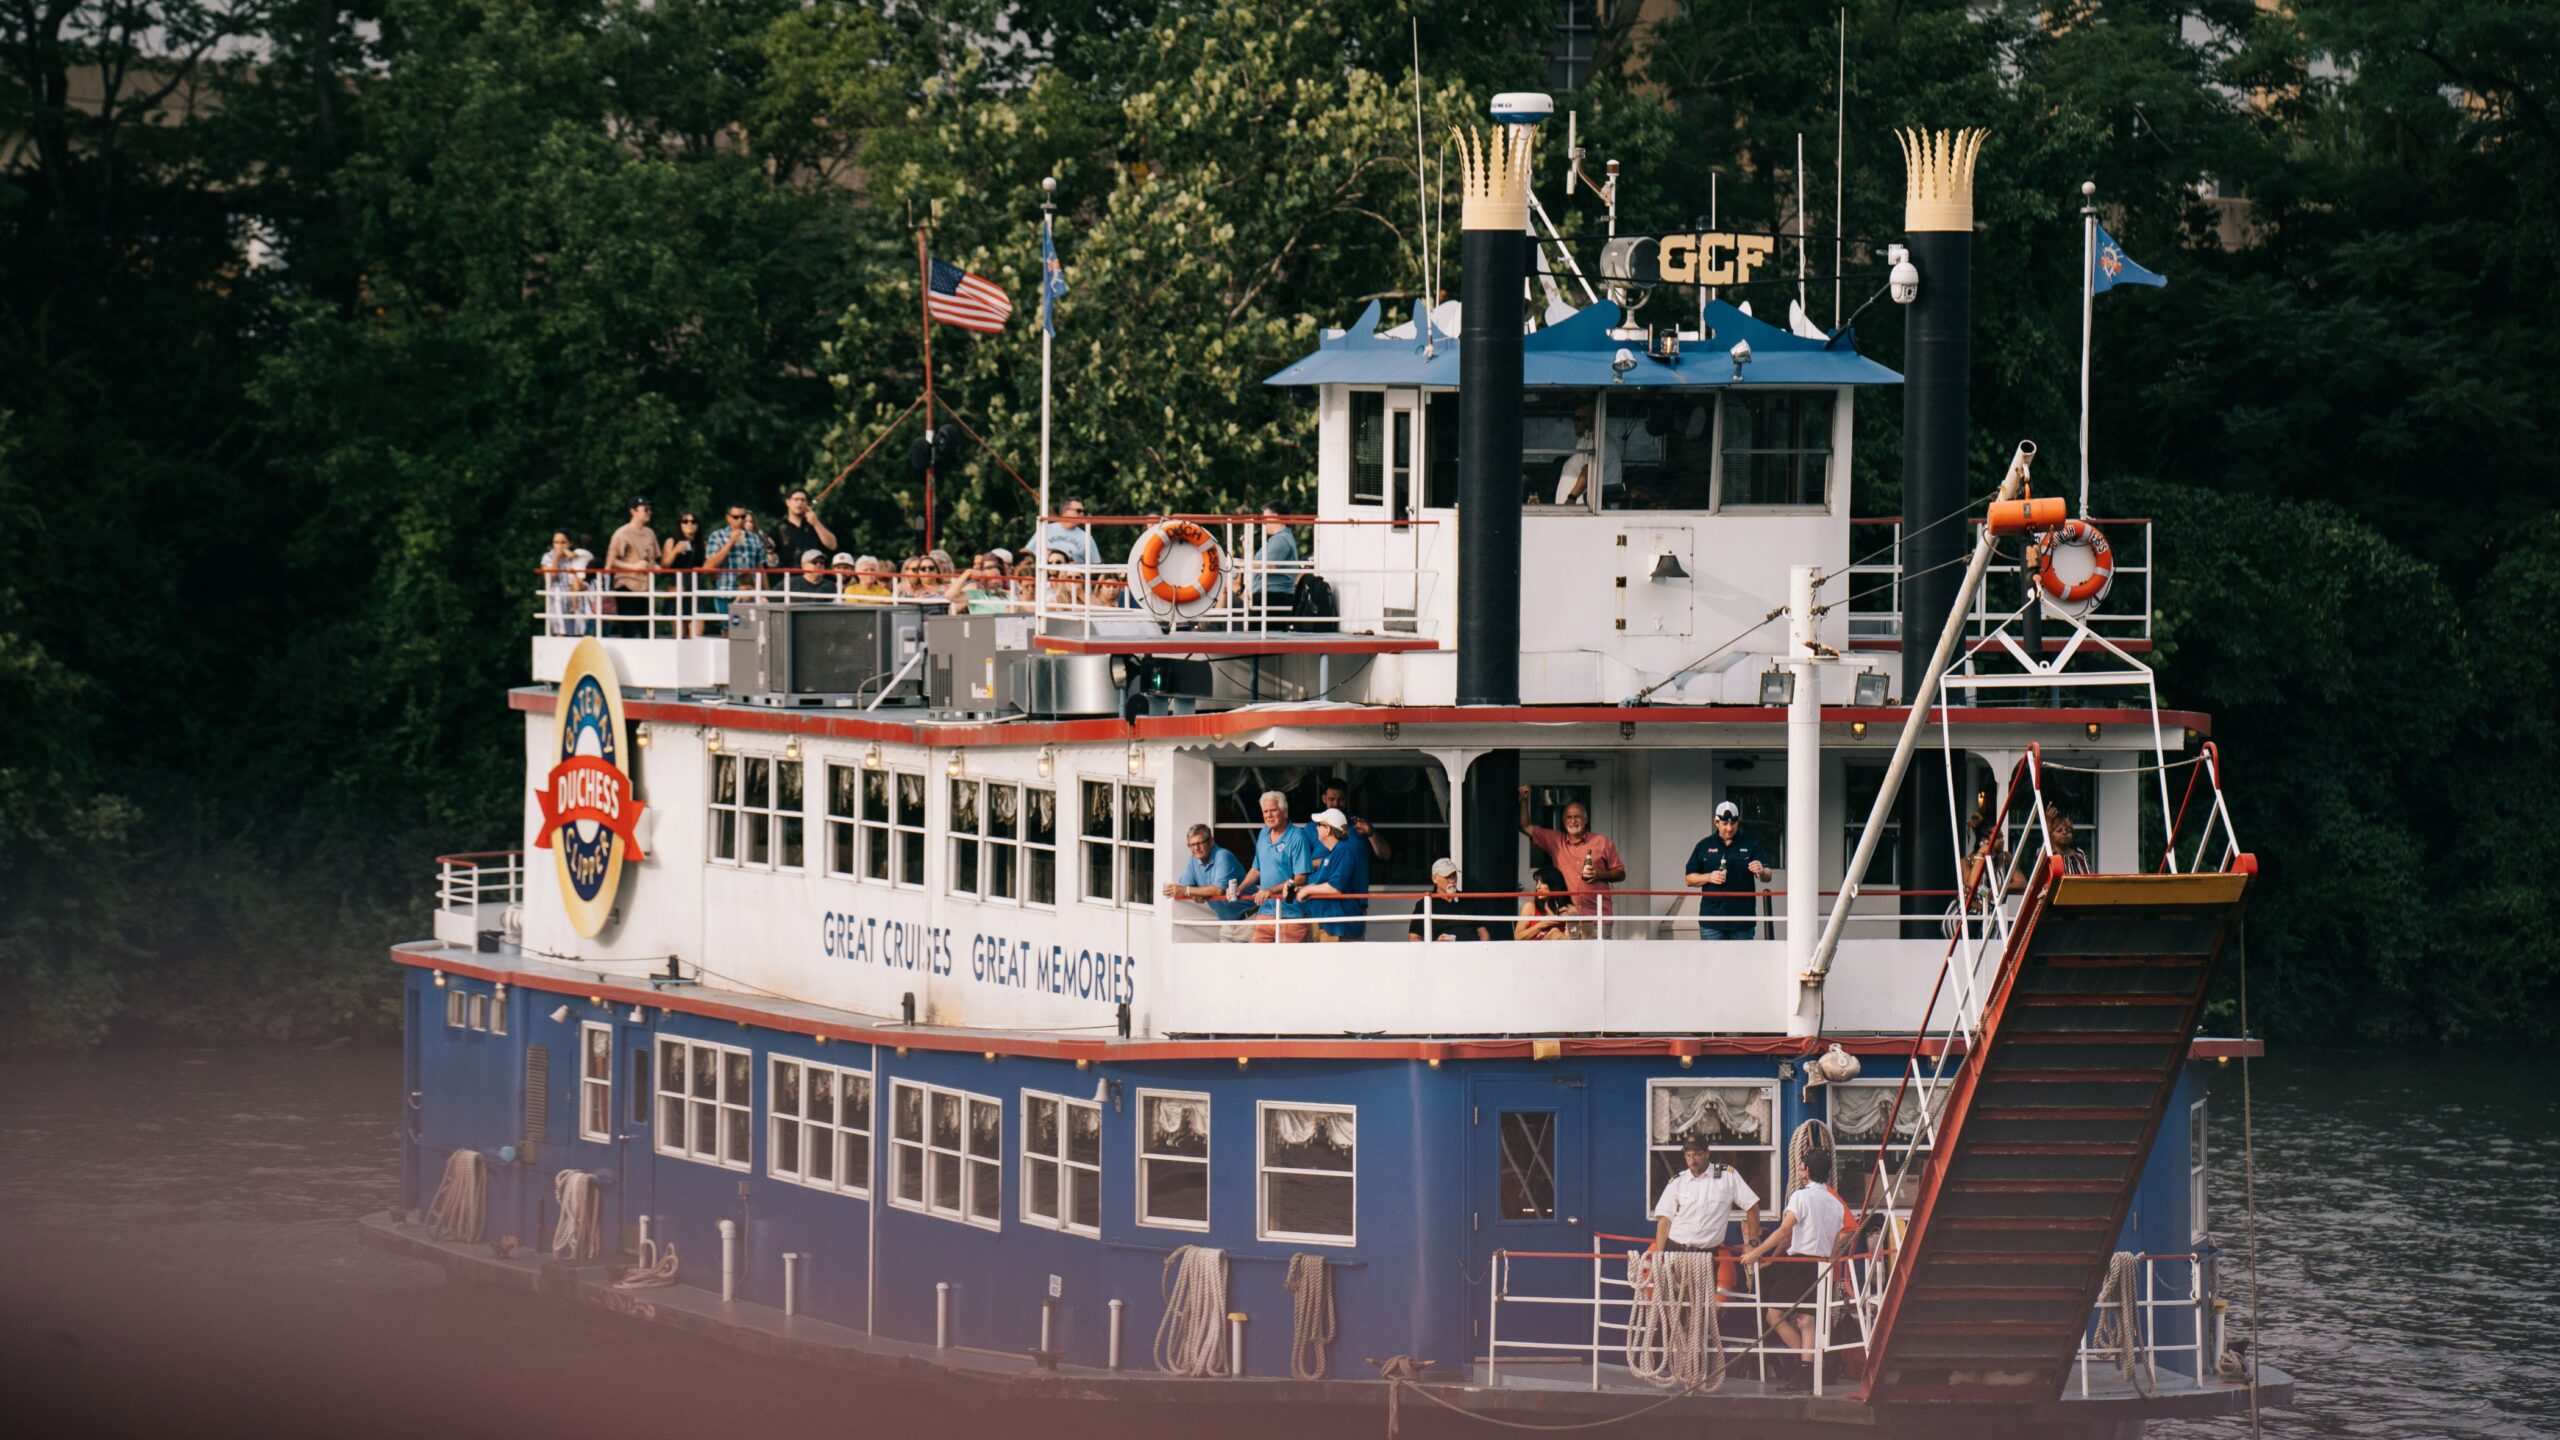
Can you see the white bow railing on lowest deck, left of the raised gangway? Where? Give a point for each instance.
(1622, 1293)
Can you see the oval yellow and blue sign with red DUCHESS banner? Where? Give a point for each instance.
(588, 798)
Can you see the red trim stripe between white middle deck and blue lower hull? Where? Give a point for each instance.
(1082, 1049)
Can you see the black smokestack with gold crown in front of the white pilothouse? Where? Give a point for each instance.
(1494, 278)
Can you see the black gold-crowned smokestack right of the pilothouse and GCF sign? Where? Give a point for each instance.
(1937, 427)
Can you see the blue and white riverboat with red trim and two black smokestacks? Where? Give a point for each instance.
(836, 1006)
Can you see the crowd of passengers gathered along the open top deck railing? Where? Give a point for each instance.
(685, 583)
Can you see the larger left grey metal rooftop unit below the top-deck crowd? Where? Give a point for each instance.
(826, 655)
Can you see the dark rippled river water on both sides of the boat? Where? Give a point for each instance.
(178, 1254)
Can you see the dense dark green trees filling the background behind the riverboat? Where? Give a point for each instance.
(316, 322)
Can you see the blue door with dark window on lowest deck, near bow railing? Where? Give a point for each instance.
(1530, 1200)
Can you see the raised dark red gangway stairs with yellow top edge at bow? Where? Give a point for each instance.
(2047, 1131)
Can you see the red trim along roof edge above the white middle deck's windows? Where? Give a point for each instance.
(856, 726)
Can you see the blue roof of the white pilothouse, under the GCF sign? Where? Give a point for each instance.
(1578, 352)
